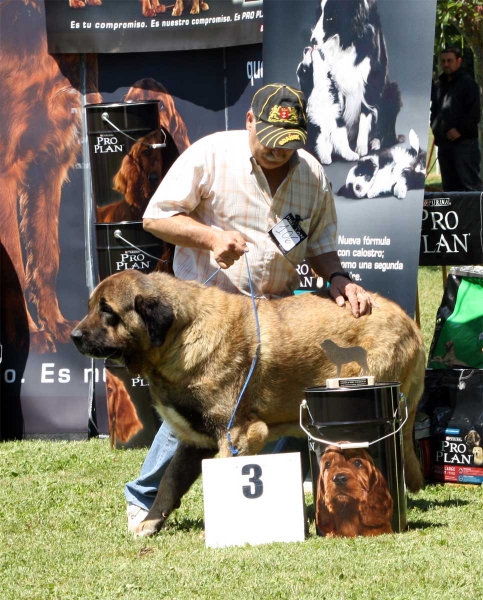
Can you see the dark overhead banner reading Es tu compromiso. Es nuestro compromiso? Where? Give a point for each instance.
(151, 25)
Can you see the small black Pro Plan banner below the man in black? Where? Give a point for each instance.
(452, 229)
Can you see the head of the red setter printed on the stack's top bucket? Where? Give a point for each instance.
(144, 167)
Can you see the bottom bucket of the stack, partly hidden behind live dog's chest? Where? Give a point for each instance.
(133, 422)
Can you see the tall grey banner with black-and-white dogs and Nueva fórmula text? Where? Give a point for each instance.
(365, 67)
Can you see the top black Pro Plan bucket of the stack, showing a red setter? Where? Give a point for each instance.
(117, 135)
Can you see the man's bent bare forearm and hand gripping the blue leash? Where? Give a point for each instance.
(183, 230)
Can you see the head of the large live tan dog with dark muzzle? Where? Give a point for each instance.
(128, 315)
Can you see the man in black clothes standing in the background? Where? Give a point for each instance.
(455, 114)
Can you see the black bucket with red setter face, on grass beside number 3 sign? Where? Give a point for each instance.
(356, 458)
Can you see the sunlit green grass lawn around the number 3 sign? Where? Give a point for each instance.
(63, 535)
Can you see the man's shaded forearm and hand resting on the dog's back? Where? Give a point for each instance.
(341, 287)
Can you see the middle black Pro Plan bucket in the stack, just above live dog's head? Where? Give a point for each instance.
(124, 246)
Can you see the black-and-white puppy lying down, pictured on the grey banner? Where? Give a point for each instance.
(390, 171)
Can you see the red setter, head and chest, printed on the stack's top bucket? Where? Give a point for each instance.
(142, 170)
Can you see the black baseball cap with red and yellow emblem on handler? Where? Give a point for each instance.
(281, 116)
